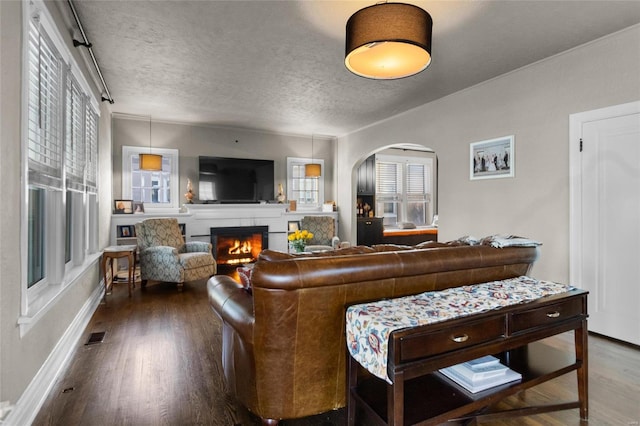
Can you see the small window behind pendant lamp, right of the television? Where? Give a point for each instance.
(308, 193)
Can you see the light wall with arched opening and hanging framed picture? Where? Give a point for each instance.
(533, 104)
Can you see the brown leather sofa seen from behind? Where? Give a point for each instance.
(284, 350)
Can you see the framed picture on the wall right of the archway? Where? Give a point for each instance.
(492, 158)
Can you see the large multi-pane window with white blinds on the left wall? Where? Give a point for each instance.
(61, 122)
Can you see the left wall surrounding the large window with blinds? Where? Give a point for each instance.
(21, 357)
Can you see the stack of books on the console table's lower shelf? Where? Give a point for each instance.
(481, 374)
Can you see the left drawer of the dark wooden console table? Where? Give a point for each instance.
(416, 345)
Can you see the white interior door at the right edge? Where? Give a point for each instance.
(610, 224)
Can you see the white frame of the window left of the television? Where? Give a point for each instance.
(174, 192)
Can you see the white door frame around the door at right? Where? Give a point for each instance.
(576, 122)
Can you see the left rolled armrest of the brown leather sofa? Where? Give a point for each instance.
(233, 304)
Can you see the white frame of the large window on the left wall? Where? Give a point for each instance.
(41, 296)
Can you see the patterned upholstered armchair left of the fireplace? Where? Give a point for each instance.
(164, 255)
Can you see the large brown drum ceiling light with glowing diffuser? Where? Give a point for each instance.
(388, 41)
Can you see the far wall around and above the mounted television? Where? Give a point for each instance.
(195, 140)
